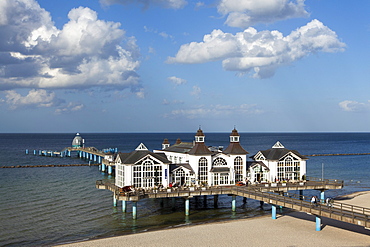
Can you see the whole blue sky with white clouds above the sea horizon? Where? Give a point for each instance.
(177, 65)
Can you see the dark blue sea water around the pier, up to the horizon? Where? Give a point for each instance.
(47, 206)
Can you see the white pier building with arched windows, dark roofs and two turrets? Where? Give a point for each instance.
(194, 163)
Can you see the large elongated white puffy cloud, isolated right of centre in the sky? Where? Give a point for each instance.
(263, 52)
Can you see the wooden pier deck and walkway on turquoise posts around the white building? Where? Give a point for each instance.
(274, 194)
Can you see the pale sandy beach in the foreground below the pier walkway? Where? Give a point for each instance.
(291, 229)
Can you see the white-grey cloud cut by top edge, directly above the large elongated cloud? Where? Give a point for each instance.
(250, 12)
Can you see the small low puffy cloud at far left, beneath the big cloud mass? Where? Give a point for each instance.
(38, 98)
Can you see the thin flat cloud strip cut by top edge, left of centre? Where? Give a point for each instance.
(168, 4)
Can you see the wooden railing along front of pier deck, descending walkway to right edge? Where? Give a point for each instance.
(340, 211)
